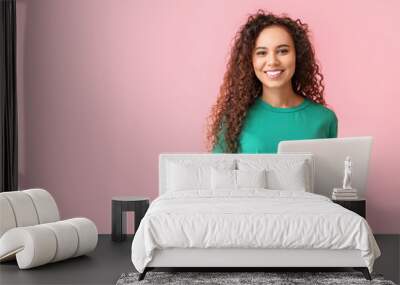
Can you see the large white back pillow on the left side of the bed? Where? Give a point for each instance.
(189, 174)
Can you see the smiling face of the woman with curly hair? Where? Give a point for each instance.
(274, 57)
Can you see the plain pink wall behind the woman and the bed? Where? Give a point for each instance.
(105, 86)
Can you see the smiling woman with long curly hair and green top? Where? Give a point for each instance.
(272, 90)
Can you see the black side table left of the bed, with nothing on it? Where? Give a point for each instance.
(121, 205)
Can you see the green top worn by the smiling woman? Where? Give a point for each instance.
(265, 126)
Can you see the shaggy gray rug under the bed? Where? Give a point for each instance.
(270, 278)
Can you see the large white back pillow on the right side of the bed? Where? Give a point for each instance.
(282, 174)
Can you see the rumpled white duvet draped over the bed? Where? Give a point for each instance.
(250, 218)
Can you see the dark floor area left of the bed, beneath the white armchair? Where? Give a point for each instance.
(102, 266)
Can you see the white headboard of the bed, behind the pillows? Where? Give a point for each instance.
(165, 157)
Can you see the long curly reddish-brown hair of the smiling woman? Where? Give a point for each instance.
(241, 87)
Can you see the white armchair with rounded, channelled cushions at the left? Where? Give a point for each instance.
(31, 232)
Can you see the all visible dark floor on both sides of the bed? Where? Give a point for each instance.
(111, 259)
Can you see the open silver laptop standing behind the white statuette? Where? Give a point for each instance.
(329, 155)
